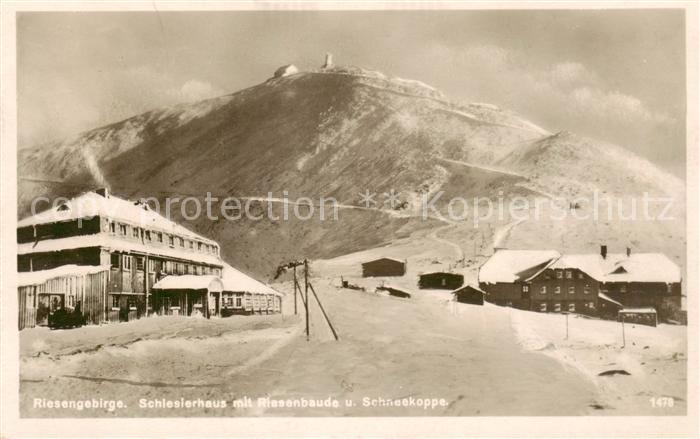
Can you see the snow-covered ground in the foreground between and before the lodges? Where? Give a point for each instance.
(481, 360)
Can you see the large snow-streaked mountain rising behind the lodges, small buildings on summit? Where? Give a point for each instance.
(338, 132)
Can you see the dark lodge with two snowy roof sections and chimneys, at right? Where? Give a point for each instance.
(594, 284)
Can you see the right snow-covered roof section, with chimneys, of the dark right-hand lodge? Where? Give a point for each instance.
(638, 267)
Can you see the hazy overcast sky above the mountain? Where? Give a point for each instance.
(613, 75)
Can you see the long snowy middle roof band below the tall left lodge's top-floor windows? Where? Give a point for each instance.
(119, 244)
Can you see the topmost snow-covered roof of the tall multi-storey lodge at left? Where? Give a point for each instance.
(91, 204)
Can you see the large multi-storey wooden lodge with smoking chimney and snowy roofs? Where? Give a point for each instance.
(120, 260)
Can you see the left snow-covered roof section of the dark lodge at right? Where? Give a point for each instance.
(507, 265)
